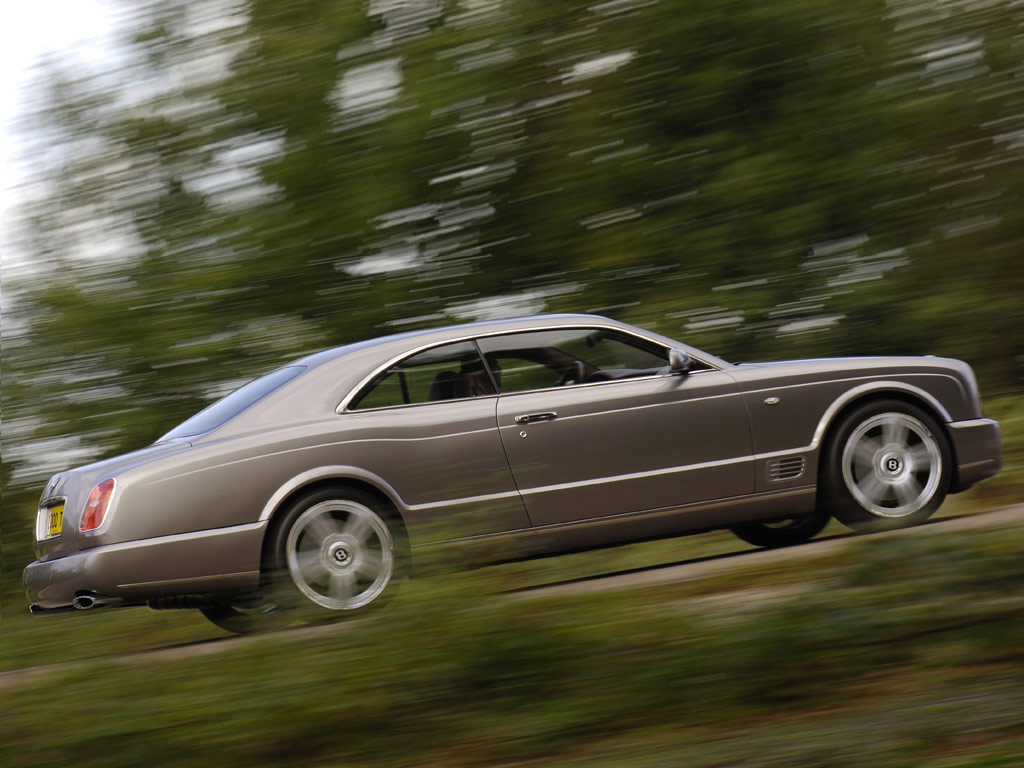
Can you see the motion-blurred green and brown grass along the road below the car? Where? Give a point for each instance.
(900, 652)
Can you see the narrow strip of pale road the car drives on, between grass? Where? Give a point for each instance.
(689, 571)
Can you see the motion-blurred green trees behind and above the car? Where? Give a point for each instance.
(262, 180)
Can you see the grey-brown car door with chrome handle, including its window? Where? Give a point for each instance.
(594, 424)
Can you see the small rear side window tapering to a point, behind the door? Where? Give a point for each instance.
(445, 373)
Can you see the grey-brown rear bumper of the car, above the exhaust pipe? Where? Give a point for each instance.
(223, 561)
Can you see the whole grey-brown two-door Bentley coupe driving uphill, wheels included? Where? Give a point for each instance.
(536, 436)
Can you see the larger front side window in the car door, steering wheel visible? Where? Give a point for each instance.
(549, 359)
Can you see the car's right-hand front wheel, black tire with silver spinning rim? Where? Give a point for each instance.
(887, 466)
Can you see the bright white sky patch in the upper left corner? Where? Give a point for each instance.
(76, 29)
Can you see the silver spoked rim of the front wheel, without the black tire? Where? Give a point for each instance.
(892, 465)
